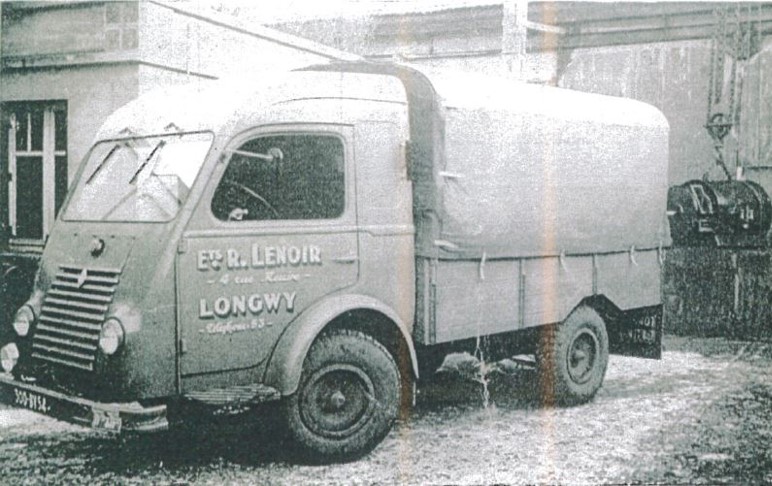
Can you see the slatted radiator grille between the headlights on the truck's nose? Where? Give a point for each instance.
(73, 312)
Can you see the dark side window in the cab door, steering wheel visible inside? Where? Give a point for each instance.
(283, 177)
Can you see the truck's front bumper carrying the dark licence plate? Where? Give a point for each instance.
(111, 417)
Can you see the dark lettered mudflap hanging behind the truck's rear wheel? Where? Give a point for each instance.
(636, 332)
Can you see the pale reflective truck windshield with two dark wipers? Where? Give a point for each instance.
(138, 179)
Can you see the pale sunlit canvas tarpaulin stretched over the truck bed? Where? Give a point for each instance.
(529, 170)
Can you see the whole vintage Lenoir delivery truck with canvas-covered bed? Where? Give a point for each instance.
(320, 236)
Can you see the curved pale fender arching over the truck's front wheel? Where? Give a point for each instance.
(286, 361)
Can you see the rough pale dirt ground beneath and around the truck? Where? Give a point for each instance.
(701, 415)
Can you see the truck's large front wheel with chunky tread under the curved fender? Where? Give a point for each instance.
(347, 400)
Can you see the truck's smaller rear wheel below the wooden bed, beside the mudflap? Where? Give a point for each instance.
(571, 358)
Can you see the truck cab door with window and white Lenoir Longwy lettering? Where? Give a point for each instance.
(274, 232)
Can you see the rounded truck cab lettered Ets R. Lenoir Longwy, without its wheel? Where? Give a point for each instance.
(189, 246)
